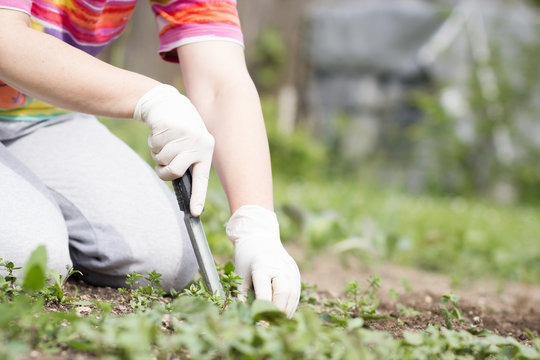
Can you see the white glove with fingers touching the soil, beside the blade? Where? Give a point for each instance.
(261, 260)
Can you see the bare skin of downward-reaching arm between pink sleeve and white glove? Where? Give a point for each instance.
(221, 89)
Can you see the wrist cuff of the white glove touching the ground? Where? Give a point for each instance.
(250, 220)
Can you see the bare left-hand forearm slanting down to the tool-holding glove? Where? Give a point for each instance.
(50, 70)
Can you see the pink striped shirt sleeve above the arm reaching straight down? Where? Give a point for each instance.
(182, 22)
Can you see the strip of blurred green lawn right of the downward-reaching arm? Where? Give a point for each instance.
(460, 237)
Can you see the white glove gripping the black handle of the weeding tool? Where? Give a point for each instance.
(179, 139)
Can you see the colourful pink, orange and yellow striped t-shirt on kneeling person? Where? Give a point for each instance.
(91, 25)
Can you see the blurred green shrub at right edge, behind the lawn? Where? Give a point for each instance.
(501, 157)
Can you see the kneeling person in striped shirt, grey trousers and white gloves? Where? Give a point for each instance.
(69, 184)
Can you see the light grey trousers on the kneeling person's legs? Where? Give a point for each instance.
(72, 186)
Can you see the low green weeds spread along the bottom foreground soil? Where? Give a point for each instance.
(191, 326)
